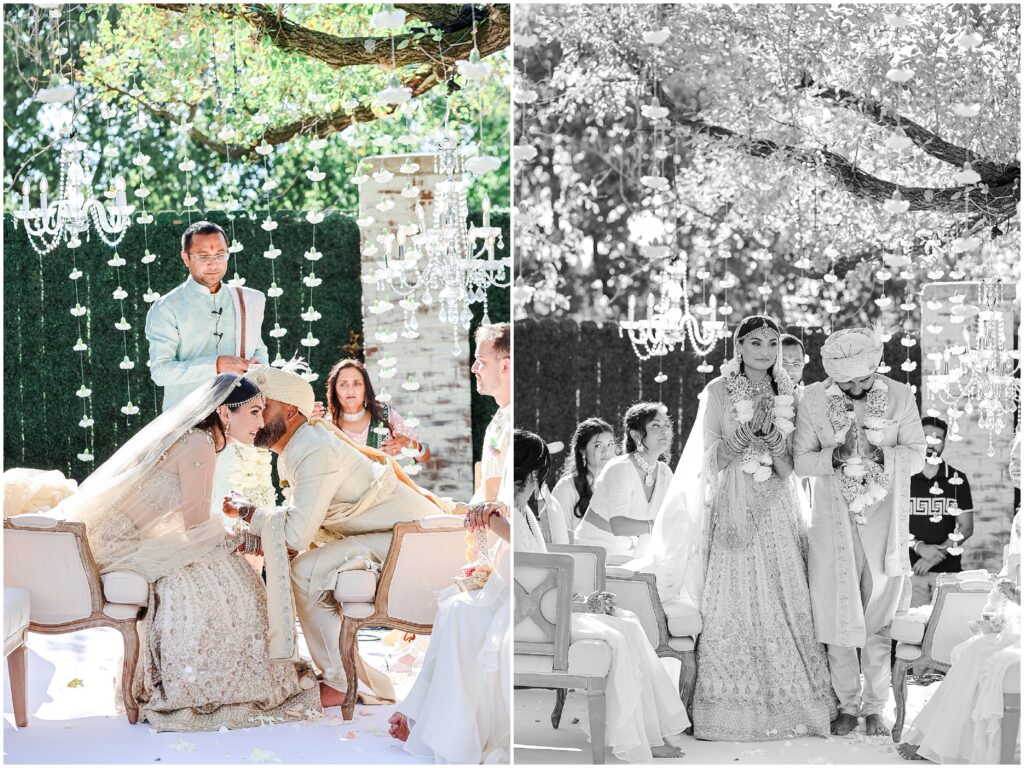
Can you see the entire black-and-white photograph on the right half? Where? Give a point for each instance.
(765, 317)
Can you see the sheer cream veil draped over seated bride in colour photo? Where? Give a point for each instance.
(149, 525)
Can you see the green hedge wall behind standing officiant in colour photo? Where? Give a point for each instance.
(42, 373)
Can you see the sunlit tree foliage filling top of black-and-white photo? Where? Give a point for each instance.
(791, 139)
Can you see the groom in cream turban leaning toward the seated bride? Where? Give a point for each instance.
(346, 501)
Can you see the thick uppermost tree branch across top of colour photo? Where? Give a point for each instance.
(493, 35)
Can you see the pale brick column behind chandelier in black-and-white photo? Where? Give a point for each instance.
(992, 489)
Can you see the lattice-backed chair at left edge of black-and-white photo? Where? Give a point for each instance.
(545, 654)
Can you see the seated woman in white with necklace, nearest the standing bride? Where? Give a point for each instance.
(631, 489)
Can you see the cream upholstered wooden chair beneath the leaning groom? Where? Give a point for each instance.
(424, 557)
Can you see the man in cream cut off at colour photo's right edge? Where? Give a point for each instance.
(493, 369)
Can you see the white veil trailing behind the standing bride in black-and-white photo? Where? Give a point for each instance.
(676, 549)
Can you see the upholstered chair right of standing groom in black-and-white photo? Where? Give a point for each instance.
(927, 635)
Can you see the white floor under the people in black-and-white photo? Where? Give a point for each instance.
(537, 743)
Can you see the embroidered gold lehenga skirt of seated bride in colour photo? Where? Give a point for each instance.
(205, 662)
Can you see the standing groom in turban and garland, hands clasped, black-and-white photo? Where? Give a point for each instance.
(858, 563)
